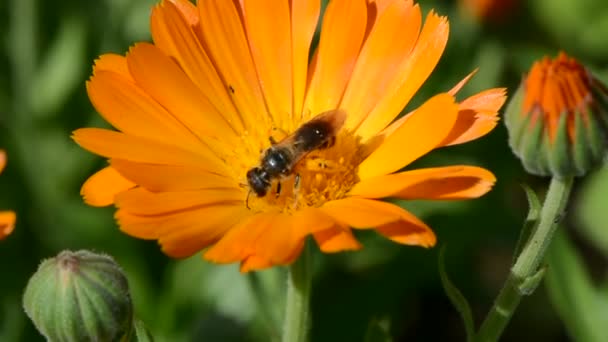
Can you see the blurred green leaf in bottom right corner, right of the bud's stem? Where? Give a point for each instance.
(577, 301)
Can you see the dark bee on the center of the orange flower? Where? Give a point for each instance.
(280, 159)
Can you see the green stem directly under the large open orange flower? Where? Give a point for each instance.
(295, 326)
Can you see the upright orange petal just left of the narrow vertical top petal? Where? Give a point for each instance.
(269, 34)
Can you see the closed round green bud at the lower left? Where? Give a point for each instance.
(79, 296)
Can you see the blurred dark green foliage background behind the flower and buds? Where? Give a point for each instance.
(46, 52)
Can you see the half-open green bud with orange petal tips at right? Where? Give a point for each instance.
(558, 119)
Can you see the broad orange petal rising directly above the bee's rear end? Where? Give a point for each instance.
(341, 38)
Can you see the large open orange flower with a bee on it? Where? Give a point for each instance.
(196, 110)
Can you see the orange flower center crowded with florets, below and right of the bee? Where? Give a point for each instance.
(320, 176)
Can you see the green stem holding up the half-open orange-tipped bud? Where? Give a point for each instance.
(525, 274)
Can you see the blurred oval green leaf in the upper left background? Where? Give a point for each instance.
(62, 69)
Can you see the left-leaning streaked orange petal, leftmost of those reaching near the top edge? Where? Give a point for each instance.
(173, 34)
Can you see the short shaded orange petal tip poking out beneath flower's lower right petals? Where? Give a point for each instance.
(409, 233)
